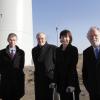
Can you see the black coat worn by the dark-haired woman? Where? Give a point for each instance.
(65, 70)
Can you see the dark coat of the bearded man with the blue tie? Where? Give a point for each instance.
(91, 71)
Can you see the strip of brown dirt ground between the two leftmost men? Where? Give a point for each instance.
(29, 84)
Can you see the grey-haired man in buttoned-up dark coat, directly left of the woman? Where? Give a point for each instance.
(44, 61)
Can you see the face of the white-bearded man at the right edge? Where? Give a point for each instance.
(95, 38)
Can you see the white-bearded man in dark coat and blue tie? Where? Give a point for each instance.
(91, 64)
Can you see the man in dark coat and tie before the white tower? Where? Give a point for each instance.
(11, 69)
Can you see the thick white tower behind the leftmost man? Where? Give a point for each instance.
(16, 17)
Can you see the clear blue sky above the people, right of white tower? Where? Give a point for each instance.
(75, 15)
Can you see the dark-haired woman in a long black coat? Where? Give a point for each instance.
(65, 71)
